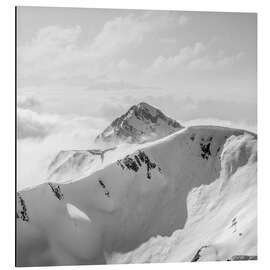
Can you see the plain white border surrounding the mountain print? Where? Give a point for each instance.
(7, 115)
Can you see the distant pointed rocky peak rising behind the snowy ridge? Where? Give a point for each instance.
(140, 123)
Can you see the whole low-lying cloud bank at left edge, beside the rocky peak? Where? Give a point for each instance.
(41, 136)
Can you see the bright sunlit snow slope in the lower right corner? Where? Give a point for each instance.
(222, 216)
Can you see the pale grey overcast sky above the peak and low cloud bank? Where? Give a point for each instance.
(98, 62)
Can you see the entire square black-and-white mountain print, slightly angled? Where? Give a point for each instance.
(136, 136)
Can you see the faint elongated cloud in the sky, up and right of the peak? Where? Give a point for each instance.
(194, 57)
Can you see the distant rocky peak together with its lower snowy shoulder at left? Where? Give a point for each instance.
(139, 124)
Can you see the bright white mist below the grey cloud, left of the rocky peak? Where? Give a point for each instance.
(34, 156)
